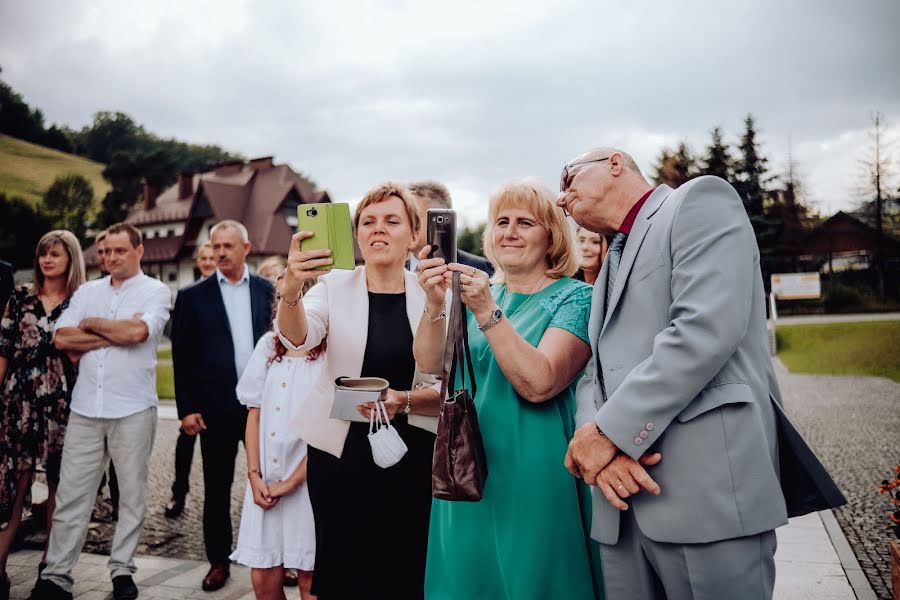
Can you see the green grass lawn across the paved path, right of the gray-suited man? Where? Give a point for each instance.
(864, 348)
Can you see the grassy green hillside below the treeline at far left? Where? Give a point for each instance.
(27, 170)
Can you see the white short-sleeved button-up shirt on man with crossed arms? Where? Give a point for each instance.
(118, 381)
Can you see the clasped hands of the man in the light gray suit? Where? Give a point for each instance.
(595, 458)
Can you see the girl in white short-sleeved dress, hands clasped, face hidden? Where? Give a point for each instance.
(277, 528)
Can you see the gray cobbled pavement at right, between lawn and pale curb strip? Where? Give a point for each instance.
(853, 424)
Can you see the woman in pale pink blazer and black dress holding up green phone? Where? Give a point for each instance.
(369, 316)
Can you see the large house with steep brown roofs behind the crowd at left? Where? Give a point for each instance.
(260, 194)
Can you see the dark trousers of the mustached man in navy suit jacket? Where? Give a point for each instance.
(219, 449)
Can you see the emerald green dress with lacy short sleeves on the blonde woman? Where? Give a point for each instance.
(528, 538)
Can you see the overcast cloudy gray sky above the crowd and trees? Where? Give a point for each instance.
(472, 93)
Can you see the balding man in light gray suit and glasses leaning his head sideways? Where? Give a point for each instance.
(677, 409)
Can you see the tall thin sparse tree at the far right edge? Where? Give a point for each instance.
(877, 178)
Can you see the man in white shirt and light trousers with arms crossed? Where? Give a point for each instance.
(112, 328)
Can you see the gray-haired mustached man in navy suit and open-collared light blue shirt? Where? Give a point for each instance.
(216, 324)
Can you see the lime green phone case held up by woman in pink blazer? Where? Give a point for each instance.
(330, 224)
